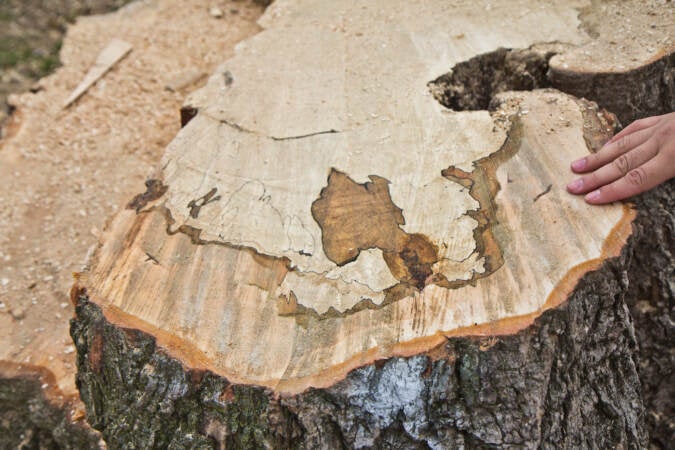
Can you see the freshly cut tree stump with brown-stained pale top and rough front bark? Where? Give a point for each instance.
(329, 257)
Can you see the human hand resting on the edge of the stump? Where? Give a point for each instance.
(635, 160)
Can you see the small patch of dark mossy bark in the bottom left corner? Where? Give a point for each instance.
(29, 421)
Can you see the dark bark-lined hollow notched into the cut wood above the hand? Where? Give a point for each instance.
(646, 91)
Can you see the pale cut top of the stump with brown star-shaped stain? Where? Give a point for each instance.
(323, 210)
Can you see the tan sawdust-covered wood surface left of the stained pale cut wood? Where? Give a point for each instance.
(64, 172)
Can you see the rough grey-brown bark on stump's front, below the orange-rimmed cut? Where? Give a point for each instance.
(569, 381)
